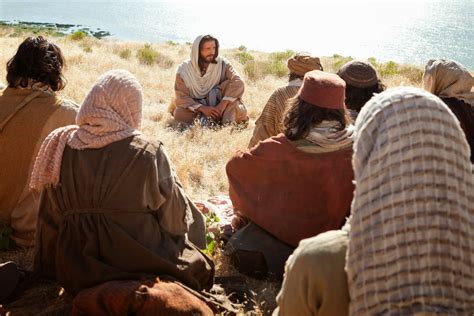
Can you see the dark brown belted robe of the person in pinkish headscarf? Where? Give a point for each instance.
(119, 212)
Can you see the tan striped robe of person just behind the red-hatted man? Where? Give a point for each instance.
(270, 122)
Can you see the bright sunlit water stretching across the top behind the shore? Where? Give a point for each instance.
(409, 32)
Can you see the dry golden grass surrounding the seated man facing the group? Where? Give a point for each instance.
(199, 155)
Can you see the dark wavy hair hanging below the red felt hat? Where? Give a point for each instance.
(301, 116)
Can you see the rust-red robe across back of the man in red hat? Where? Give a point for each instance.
(290, 193)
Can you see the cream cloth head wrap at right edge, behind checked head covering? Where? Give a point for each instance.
(448, 79)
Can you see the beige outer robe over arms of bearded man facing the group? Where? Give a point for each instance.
(232, 89)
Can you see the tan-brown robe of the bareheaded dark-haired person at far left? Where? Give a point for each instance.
(20, 141)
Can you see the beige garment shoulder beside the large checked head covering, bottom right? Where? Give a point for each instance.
(315, 282)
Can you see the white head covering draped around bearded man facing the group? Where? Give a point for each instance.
(189, 71)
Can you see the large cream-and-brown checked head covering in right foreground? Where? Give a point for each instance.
(411, 246)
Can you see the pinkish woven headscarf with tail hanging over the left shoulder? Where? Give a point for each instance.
(111, 112)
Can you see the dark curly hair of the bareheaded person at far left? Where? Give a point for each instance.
(36, 59)
